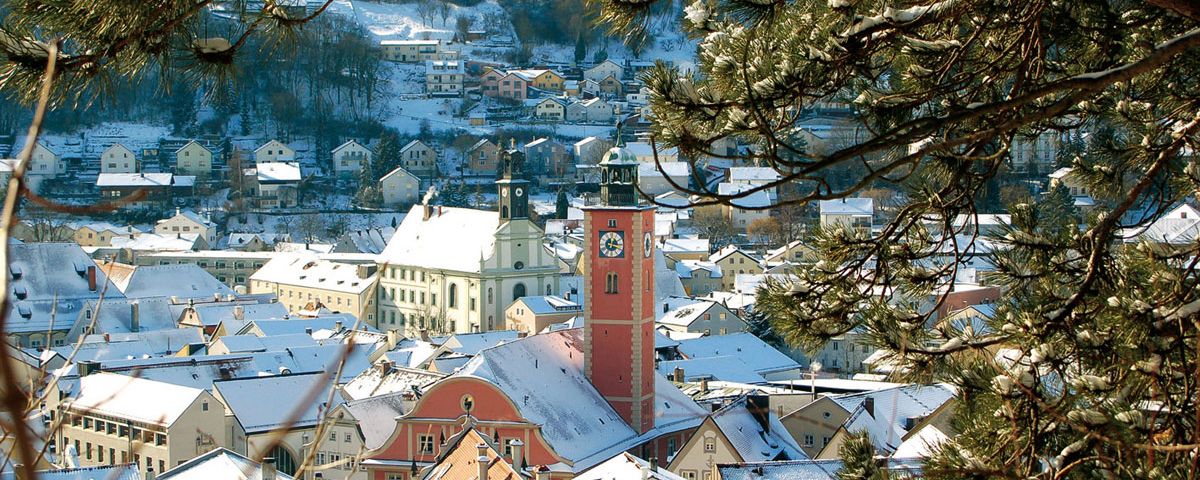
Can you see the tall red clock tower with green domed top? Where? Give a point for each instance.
(620, 314)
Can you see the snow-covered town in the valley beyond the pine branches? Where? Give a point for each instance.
(440, 239)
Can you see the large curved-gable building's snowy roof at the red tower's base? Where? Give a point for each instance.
(527, 369)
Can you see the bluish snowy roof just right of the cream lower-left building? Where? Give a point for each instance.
(244, 398)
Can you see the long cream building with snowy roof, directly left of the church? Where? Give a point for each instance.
(303, 283)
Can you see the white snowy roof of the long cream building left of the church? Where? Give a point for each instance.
(307, 271)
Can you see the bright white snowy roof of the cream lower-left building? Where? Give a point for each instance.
(125, 398)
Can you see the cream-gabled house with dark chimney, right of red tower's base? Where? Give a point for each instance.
(743, 431)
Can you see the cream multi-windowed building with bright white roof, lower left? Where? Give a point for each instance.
(109, 421)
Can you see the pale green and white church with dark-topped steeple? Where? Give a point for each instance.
(454, 271)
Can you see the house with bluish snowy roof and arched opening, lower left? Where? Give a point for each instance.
(287, 422)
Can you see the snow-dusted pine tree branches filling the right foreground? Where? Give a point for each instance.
(1089, 329)
